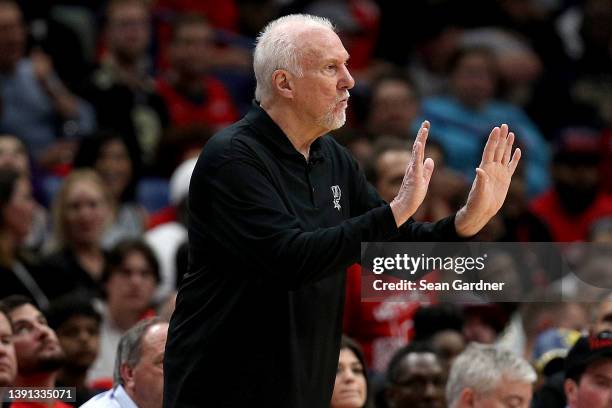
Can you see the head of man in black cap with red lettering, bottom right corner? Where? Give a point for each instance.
(588, 372)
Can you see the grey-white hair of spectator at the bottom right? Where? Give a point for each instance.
(482, 368)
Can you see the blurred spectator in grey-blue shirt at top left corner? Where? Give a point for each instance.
(36, 106)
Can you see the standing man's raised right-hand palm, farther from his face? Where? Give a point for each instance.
(491, 184)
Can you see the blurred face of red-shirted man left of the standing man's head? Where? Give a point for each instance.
(191, 49)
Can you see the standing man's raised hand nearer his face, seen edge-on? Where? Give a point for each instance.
(416, 180)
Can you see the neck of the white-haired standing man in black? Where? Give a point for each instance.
(300, 134)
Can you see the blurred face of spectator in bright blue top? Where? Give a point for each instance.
(473, 80)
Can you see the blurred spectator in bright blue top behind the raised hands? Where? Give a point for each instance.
(462, 118)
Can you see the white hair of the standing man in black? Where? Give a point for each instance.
(277, 48)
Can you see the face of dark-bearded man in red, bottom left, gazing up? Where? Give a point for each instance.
(36, 344)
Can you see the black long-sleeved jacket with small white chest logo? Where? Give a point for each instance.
(258, 315)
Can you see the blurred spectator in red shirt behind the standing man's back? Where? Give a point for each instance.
(192, 96)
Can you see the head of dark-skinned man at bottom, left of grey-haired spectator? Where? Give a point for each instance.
(415, 378)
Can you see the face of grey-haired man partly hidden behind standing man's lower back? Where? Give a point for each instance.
(144, 382)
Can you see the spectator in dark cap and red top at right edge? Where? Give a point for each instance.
(576, 198)
